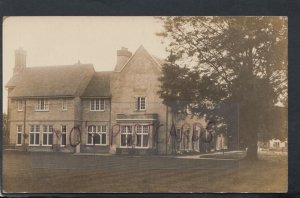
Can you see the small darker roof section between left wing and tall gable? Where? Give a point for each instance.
(99, 85)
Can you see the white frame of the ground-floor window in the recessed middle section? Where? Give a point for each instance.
(99, 130)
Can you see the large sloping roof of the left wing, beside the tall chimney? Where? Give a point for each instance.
(51, 81)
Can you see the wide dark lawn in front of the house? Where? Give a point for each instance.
(52, 172)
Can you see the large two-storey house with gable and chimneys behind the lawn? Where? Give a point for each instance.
(72, 108)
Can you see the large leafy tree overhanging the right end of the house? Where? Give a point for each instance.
(240, 60)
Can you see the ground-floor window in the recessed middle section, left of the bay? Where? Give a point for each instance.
(97, 135)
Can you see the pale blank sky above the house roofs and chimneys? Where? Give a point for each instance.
(52, 41)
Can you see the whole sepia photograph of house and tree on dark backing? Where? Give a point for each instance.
(145, 104)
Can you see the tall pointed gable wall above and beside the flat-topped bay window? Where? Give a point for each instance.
(139, 78)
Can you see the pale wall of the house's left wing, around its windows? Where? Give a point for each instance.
(55, 116)
